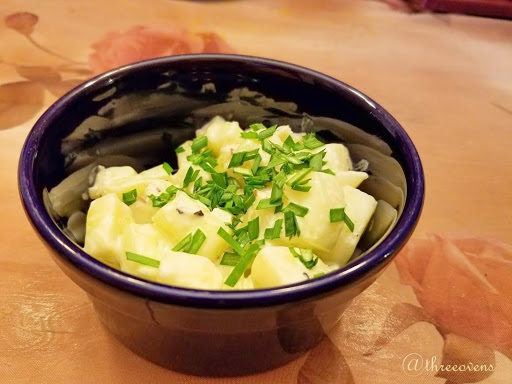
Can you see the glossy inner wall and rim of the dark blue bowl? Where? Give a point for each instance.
(139, 114)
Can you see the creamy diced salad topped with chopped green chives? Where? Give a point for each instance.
(246, 209)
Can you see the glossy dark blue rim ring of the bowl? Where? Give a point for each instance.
(65, 248)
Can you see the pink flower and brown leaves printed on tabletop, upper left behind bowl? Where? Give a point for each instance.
(22, 100)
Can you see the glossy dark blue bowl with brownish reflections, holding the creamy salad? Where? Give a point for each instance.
(194, 331)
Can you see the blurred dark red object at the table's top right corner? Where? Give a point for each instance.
(491, 8)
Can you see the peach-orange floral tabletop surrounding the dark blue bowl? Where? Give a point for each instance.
(446, 78)
